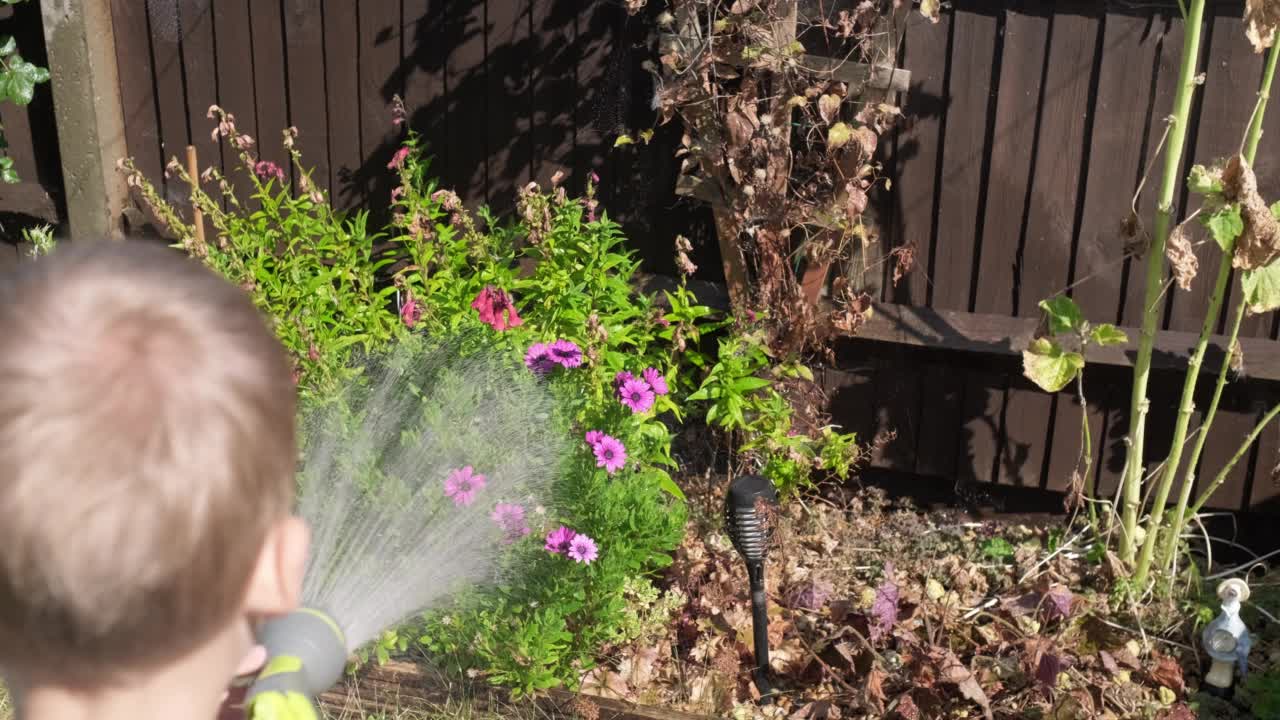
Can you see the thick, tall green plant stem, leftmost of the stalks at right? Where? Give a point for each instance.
(1156, 276)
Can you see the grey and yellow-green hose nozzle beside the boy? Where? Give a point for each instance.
(307, 654)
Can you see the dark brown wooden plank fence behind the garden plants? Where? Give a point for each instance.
(1030, 127)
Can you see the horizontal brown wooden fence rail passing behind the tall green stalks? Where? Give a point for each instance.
(1002, 335)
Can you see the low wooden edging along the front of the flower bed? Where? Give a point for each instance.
(404, 686)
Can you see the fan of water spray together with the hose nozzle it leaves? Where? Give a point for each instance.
(414, 482)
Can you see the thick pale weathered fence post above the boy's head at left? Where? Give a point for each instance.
(90, 117)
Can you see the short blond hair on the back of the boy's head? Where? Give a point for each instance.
(147, 448)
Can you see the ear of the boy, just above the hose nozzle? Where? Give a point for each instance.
(276, 587)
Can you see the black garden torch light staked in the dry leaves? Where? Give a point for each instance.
(749, 520)
